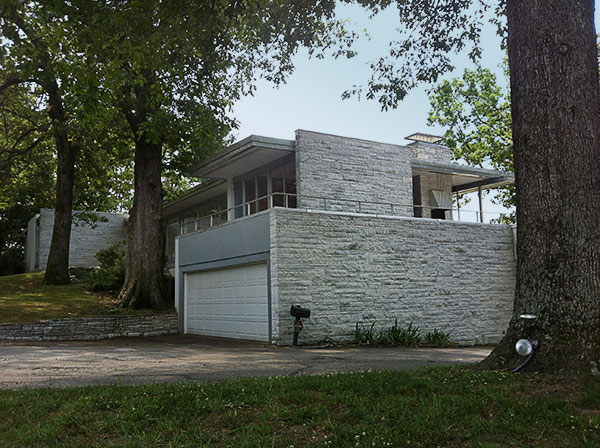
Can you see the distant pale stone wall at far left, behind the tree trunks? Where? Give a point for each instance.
(85, 240)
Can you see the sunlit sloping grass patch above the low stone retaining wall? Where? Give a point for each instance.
(23, 298)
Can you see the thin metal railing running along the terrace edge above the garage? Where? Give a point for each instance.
(320, 203)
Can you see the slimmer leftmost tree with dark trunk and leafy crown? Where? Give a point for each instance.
(29, 38)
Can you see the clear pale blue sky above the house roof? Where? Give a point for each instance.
(311, 98)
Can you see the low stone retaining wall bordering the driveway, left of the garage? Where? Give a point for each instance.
(90, 328)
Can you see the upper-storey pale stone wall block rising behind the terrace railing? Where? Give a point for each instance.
(358, 170)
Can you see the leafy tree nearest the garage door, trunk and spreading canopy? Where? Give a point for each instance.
(173, 69)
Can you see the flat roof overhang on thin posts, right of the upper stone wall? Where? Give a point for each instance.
(465, 179)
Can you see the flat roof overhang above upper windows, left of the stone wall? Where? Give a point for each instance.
(243, 156)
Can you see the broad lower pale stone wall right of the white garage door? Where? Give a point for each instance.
(456, 277)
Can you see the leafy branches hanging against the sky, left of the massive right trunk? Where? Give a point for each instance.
(428, 34)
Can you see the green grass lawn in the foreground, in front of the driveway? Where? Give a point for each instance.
(440, 407)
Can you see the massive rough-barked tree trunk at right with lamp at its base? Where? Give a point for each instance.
(556, 131)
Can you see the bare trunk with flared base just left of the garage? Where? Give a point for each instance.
(144, 286)
